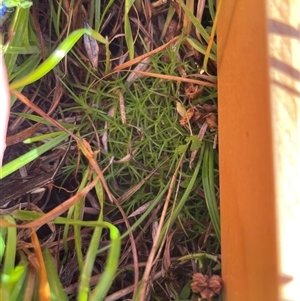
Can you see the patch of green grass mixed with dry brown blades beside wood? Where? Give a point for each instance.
(133, 210)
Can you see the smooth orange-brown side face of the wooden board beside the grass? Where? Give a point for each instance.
(247, 191)
